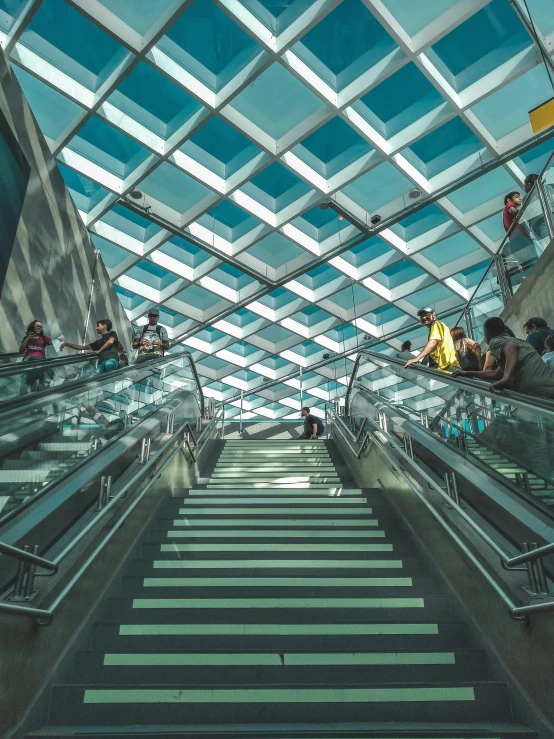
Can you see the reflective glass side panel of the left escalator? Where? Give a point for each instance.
(45, 435)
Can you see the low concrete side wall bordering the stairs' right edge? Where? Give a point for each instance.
(522, 652)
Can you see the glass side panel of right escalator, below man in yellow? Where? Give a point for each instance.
(510, 434)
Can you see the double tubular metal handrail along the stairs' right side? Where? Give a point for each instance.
(518, 613)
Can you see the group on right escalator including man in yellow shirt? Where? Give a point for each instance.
(509, 363)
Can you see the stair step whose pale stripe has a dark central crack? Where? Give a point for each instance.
(267, 668)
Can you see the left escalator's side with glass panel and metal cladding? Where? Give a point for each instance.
(52, 441)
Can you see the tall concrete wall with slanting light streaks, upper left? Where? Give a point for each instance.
(49, 275)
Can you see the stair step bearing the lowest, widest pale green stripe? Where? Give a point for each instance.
(469, 702)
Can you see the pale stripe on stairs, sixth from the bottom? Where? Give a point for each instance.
(247, 564)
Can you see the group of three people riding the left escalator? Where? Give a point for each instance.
(149, 341)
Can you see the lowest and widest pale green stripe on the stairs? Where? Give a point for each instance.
(279, 695)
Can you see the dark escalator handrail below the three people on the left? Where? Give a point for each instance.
(60, 392)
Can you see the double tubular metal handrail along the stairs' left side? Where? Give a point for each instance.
(44, 616)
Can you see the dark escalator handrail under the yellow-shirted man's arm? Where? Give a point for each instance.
(542, 406)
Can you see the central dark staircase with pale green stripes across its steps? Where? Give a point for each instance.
(273, 601)
